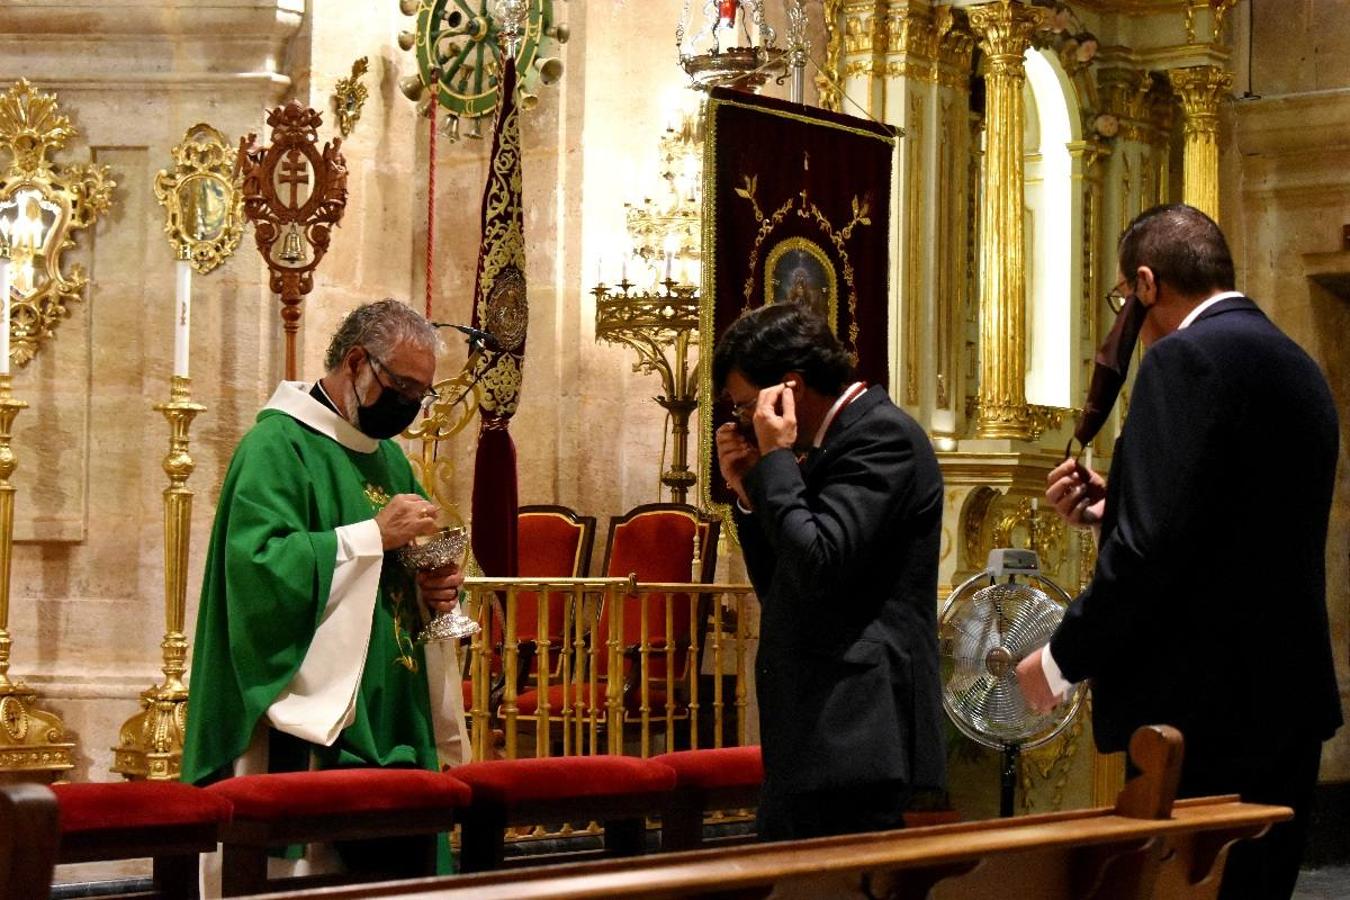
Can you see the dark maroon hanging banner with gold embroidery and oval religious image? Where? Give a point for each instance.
(797, 206)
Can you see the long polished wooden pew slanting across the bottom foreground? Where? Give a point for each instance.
(1143, 848)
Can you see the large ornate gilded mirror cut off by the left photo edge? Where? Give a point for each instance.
(41, 206)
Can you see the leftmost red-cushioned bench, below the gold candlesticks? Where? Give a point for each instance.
(167, 821)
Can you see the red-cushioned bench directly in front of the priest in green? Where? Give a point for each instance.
(337, 805)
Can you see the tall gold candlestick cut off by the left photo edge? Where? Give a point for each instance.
(33, 741)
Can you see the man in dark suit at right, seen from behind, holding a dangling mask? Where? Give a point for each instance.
(1208, 609)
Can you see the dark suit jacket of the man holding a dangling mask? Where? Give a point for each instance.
(1208, 609)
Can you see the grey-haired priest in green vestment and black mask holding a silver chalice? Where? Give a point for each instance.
(304, 654)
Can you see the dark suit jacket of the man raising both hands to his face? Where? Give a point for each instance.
(843, 553)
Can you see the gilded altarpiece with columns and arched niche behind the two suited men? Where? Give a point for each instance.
(1144, 83)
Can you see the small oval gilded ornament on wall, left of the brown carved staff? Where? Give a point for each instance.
(203, 199)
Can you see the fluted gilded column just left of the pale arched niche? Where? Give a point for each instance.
(1005, 32)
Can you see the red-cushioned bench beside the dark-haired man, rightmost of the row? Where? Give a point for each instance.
(707, 781)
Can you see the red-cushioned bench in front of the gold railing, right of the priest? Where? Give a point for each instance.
(616, 791)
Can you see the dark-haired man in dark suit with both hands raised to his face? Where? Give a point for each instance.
(839, 515)
